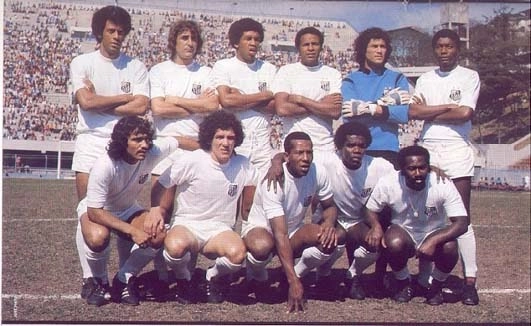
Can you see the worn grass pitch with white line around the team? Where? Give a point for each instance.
(41, 273)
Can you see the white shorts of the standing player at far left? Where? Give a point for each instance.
(88, 149)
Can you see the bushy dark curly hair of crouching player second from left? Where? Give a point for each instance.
(219, 120)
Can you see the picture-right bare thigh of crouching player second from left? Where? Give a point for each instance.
(227, 244)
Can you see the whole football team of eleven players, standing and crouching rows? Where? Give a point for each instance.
(212, 144)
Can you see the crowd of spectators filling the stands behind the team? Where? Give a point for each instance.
(39, 45)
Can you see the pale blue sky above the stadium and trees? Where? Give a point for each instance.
(360, 14)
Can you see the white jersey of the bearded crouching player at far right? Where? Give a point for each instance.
(418, 212)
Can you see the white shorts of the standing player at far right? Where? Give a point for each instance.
(455, 159)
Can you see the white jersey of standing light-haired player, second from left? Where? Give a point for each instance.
(169, 78)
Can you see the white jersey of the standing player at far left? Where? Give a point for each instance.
(123, 75)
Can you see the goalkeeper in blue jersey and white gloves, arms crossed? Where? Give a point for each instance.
(375, 95)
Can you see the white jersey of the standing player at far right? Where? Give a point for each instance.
(459, 86)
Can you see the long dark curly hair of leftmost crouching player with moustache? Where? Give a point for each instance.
(125, 127)
